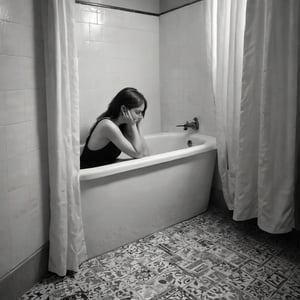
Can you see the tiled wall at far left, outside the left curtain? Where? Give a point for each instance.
(23, 135)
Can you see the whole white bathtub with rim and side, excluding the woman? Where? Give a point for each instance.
(133, 198)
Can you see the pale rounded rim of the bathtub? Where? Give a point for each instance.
(133, 164)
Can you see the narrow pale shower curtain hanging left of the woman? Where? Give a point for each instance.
(67, 245)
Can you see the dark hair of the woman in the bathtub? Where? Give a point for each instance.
(129, 97)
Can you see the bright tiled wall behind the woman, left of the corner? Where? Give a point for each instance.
(116, 49)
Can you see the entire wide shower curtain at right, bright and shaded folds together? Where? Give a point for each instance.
(252, 50)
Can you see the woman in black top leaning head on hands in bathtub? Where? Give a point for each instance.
(116, 130)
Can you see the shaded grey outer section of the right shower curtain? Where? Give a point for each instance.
(268, 115)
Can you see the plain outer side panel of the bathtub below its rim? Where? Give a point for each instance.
(121, 208)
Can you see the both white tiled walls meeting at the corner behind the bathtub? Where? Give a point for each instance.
(118, 48)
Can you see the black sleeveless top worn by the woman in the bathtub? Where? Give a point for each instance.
(95, 158)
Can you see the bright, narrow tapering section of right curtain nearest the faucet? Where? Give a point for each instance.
(225, 22)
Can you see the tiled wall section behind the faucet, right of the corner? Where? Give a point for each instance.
(185, 86)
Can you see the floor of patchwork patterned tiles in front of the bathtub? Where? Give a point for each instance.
(207, 257)
